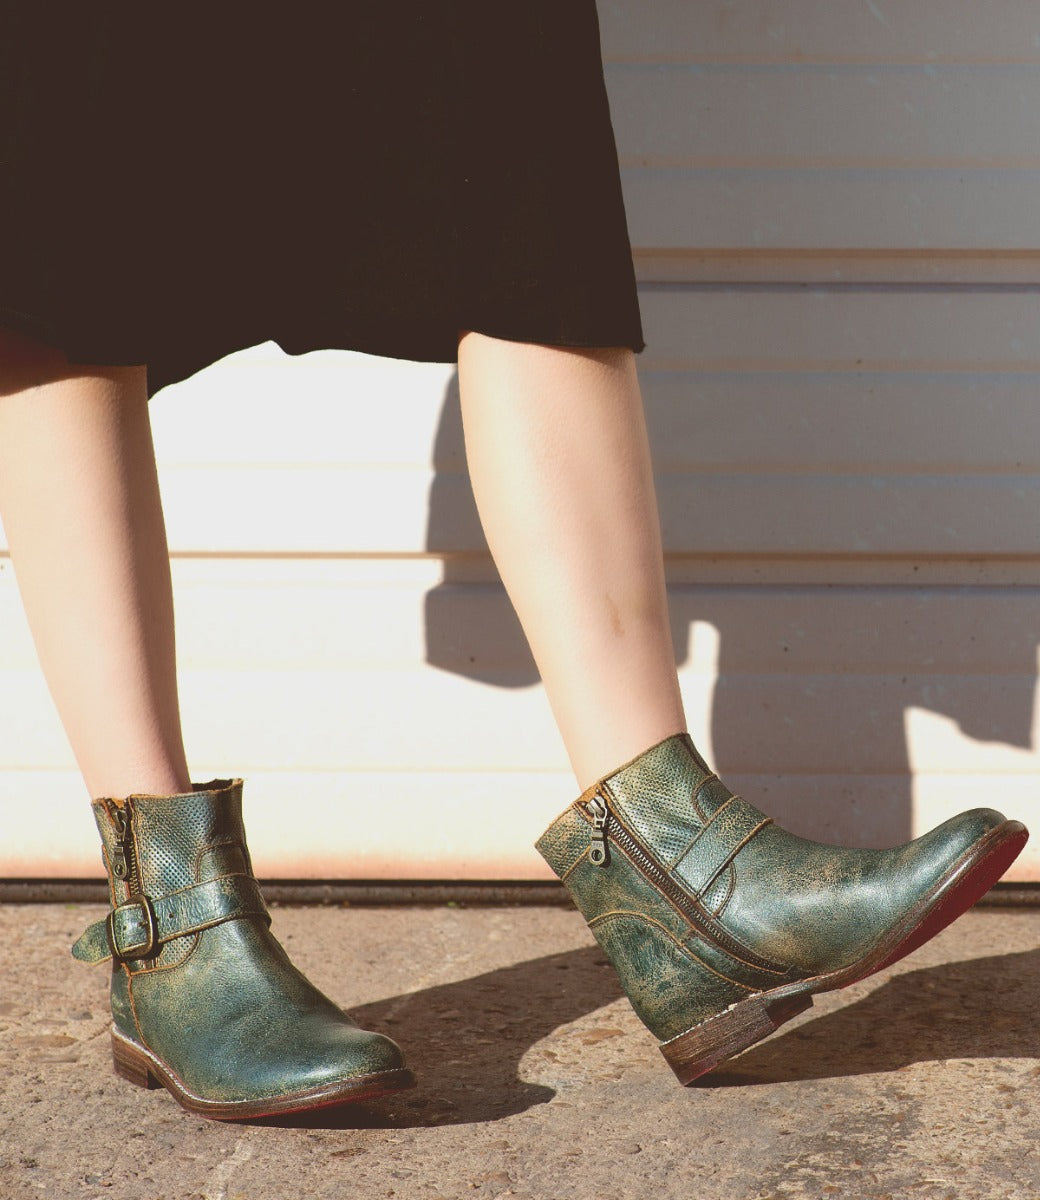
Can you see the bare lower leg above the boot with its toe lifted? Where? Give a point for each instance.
(561, 470)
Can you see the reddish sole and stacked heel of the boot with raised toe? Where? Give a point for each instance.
(705, 1047)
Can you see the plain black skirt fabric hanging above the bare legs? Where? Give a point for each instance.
(179, 182)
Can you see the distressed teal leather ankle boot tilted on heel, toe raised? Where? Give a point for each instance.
(723, 927)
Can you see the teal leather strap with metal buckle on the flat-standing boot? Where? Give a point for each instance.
(140, 927)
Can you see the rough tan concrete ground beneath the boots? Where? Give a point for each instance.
(539, 1083)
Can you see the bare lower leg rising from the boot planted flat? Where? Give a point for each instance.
(81, 507)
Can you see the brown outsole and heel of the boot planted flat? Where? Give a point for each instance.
(139, 1066)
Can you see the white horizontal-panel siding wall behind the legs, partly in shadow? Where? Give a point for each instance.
(837, 230)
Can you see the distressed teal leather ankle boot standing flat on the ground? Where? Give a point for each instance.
(205, 1000)
